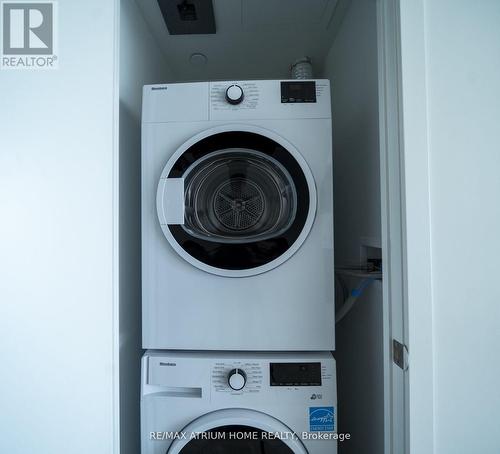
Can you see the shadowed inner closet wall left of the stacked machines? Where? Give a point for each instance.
(141, 62)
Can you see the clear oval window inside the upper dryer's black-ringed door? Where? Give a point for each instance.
(238, 196)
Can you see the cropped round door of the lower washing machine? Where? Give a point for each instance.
(239, 431)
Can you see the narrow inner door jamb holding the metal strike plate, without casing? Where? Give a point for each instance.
(394, 313)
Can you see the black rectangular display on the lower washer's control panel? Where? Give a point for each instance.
(295, 374)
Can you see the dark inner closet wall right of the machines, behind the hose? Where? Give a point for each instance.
(352, 67)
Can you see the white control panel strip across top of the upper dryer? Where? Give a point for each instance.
(237, 100)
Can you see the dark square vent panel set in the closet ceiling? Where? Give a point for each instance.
(188, 17)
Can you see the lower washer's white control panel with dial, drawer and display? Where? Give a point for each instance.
(232, 379)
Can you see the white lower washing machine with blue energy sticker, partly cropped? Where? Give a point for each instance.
(245, 403)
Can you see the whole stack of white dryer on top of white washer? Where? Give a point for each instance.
(237, 264)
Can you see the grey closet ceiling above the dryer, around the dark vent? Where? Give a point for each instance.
(254, 39)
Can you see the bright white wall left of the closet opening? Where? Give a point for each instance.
(57, 243)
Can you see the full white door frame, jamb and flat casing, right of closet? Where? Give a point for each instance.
(406, 236)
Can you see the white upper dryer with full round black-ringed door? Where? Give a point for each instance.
(237, 216)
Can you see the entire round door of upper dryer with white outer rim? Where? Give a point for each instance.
(236, 200)
